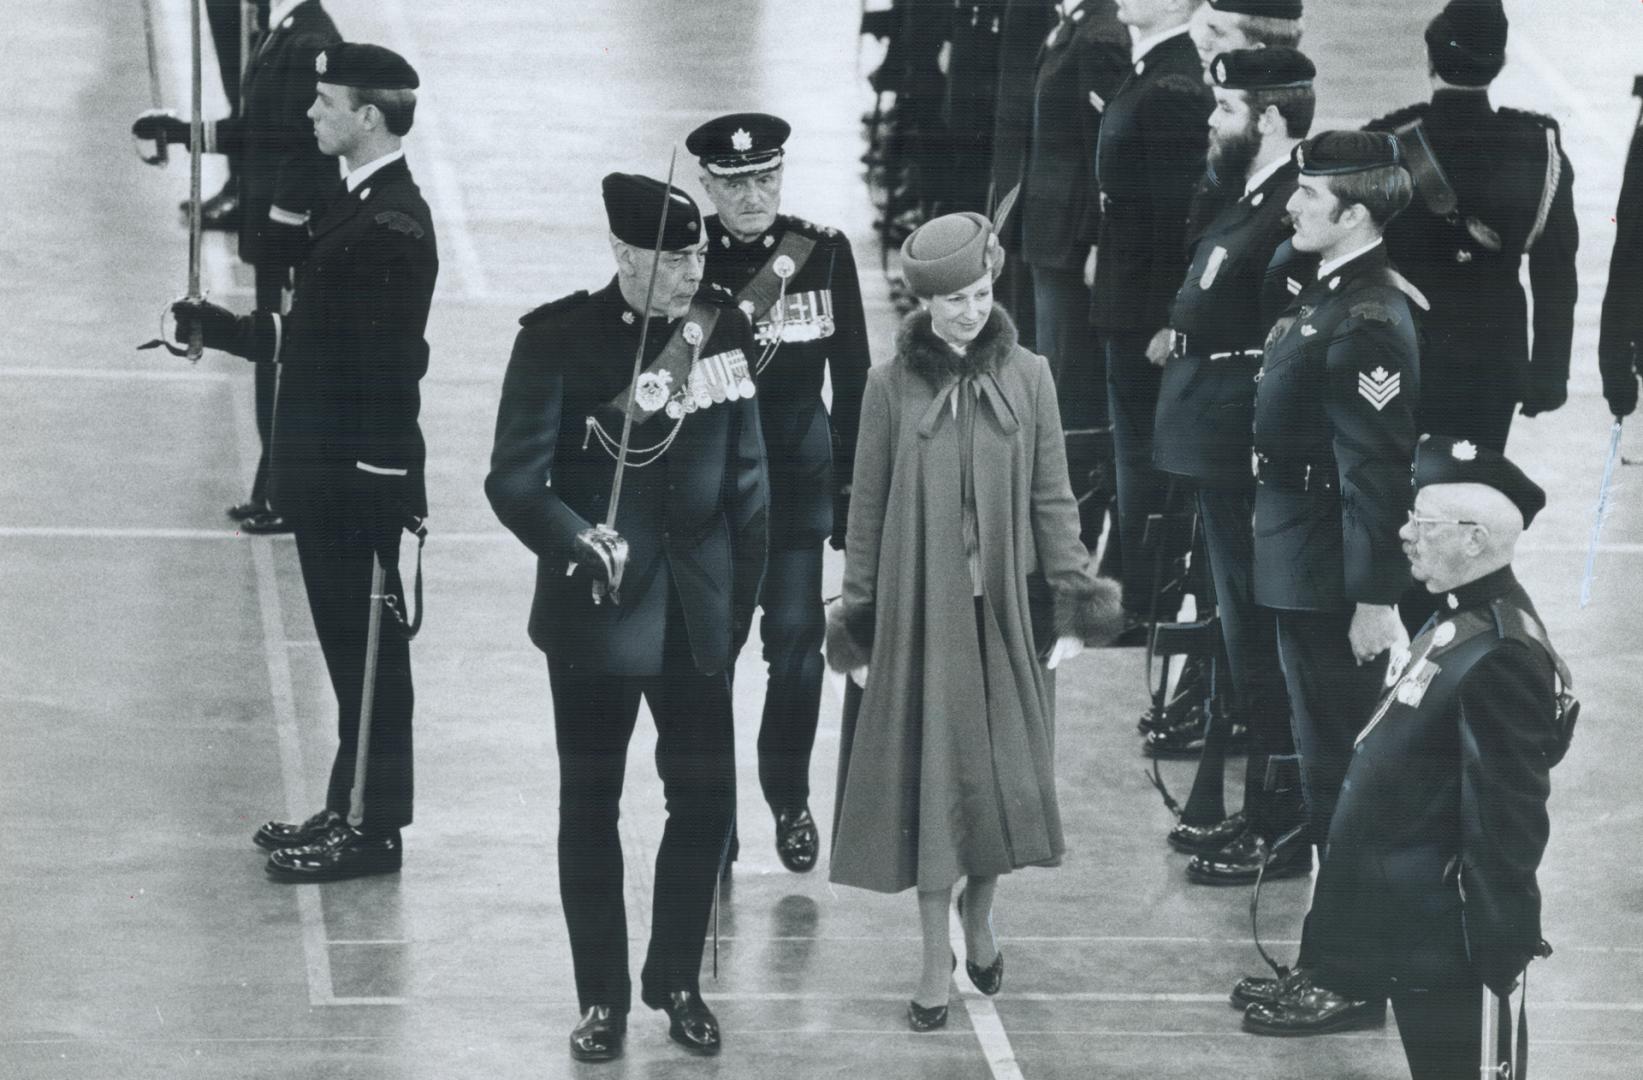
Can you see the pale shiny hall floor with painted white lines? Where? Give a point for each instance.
(162, 691)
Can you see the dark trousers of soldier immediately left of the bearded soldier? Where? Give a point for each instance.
(1133, 402)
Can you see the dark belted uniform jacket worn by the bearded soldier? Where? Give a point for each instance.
(1207, 402)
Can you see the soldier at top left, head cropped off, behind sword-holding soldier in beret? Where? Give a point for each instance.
(285, 180)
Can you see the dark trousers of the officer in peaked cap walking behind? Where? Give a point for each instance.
(791, 627)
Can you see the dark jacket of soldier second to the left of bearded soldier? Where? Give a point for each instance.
(1080, 68)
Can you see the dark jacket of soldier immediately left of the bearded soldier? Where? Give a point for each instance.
(1149, 159)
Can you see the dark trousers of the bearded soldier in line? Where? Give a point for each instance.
(1251, 637)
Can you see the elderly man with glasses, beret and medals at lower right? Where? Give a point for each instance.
(1429, 892)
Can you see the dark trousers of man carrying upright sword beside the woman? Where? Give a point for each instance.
(696, 757)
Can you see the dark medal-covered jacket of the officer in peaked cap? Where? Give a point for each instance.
(822, 331)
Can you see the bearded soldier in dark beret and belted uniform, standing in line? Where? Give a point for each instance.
(1207, 404)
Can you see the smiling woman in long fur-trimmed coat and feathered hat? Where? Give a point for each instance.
(962, 530)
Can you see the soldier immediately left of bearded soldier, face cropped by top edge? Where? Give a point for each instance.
(1149, 160)
